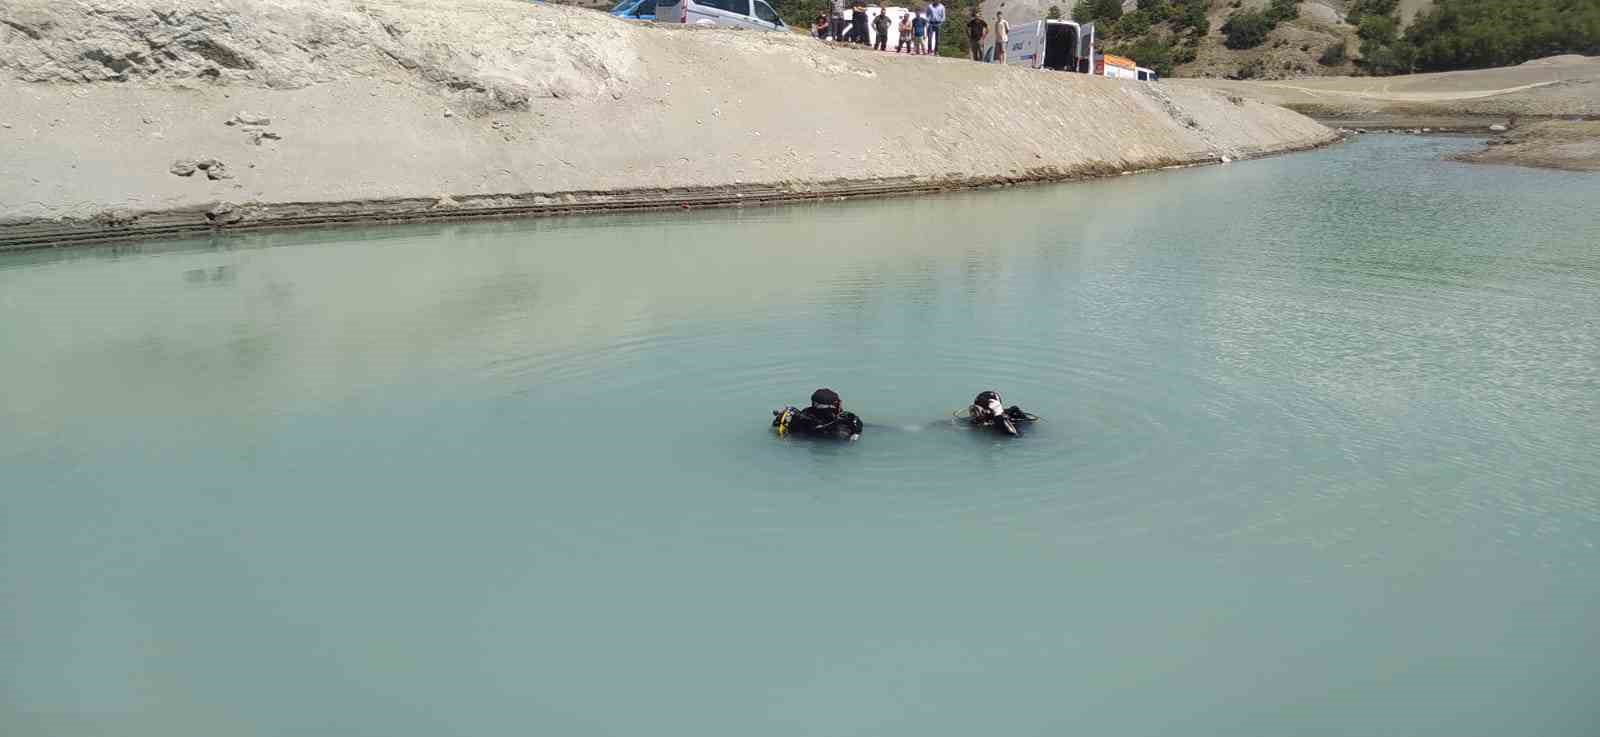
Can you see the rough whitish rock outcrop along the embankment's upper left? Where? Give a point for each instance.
(508, 58)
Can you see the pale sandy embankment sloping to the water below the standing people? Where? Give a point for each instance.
(146, 118)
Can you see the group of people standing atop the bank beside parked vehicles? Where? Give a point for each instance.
(918, 31)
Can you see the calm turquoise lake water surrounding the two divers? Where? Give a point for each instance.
(1319, 458)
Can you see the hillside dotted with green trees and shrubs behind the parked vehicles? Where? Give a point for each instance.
(1287, 39)
